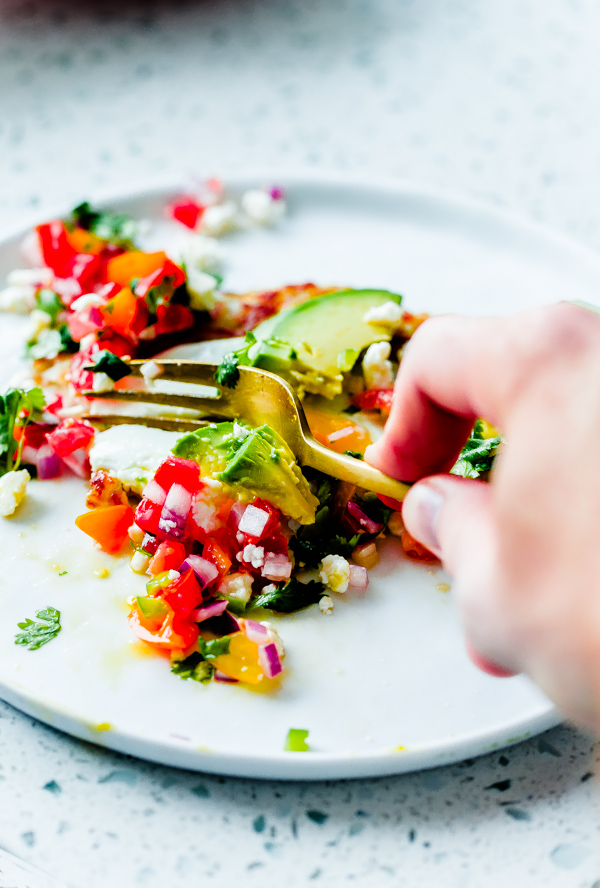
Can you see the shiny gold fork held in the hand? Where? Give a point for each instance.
(258, 397)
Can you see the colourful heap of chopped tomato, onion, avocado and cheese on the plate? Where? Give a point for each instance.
(225, 526)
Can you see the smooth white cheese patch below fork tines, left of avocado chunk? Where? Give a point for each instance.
(131, 453)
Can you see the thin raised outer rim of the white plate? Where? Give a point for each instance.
(316, 765)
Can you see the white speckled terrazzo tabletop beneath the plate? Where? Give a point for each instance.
(494, 99)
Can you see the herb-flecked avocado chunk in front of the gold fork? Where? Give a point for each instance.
(257, 460)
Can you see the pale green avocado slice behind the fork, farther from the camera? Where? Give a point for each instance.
(323, 329)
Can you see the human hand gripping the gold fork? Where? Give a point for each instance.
(524, 550)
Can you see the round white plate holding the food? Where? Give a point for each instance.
(384, 684)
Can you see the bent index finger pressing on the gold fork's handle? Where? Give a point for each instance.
(458, 369)
